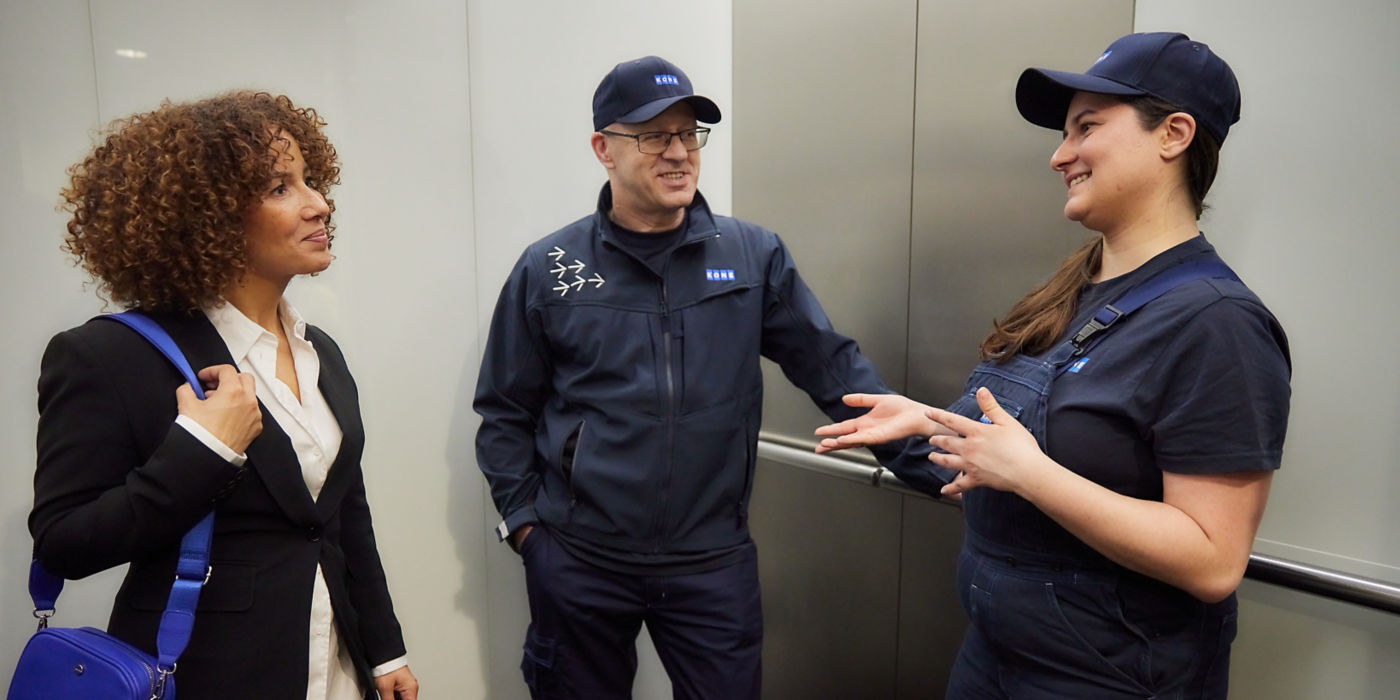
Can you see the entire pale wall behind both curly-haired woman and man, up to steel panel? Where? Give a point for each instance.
(451, 118)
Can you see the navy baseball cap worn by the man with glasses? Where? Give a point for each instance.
(642, 89)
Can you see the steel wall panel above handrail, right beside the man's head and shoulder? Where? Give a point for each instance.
(824, 110)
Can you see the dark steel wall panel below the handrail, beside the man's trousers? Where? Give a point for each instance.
(829, 563)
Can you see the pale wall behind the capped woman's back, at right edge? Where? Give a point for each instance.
(1305, 212)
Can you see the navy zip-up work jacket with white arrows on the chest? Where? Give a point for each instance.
(622, 404)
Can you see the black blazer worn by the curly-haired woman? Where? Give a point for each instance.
(120, 482)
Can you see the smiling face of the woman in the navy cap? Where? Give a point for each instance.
(1111, 164)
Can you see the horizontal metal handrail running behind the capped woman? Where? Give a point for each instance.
(863, 468)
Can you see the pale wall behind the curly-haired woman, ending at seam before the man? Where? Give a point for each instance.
(391, 83)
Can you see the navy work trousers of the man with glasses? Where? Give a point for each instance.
(584, 624)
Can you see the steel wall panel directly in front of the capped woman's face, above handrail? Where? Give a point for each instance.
(988, 209)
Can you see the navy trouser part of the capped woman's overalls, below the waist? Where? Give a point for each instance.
(1045, 629)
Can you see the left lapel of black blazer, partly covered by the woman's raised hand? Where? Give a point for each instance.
(271, 453)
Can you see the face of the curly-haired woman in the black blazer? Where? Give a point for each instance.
(286, 230)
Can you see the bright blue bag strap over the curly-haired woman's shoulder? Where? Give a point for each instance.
(192, 569)
